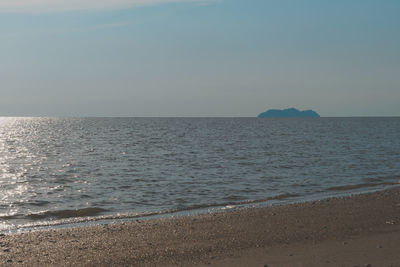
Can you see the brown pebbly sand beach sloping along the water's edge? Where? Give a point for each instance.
(361, 230)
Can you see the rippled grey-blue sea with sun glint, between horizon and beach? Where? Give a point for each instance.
(57, 170)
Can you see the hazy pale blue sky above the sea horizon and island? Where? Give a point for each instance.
(199, 57)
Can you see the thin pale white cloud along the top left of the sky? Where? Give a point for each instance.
(40, 6)
